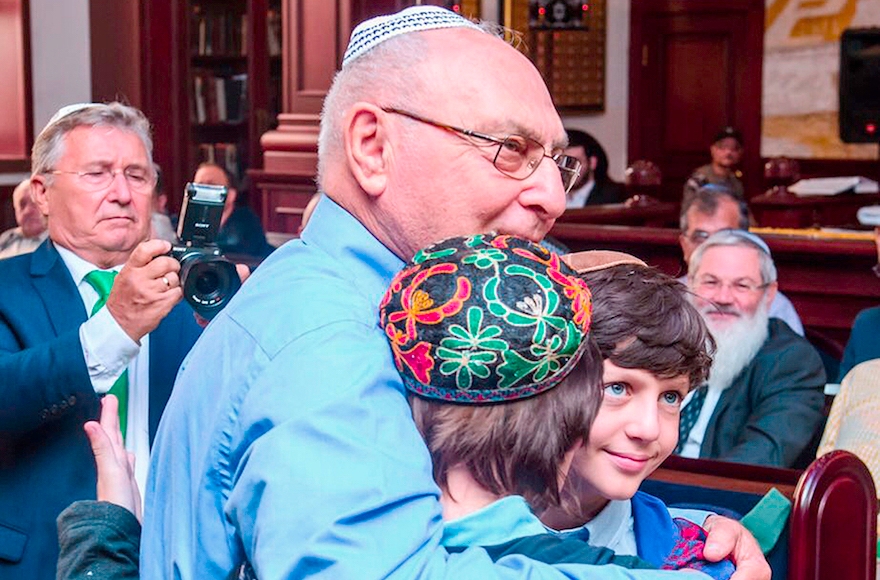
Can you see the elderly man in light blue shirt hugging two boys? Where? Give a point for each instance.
(288, 441)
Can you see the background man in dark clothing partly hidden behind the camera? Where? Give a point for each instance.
(241, 233)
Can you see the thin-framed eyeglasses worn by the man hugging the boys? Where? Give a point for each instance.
(517, 156)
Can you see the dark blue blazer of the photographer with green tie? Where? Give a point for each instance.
(45, 459)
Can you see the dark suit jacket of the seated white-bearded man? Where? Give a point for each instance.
(772, 412)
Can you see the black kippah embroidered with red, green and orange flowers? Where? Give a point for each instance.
(485, 318)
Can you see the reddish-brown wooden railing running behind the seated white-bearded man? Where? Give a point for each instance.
(828, 281)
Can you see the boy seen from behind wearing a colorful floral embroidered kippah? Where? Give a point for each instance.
(491, 338)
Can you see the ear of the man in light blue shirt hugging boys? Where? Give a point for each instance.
(366, 147)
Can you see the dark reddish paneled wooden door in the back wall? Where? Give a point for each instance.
(690, 74)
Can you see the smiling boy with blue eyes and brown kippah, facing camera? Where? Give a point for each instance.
(655, 349)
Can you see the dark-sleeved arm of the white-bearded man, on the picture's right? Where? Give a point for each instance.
(785, 393)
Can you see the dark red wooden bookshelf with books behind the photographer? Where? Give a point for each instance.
(212, 83)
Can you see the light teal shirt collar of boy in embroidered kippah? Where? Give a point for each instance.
(501, 521)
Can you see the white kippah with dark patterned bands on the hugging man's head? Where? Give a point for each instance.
(370, 33)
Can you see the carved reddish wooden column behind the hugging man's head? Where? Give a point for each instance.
(316, 34)
